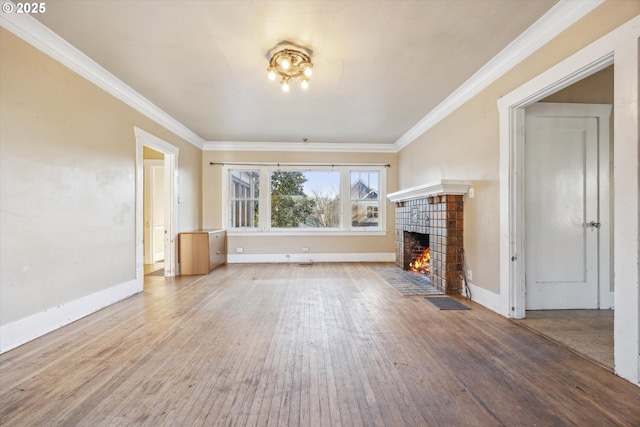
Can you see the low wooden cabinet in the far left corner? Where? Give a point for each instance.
(202, 251)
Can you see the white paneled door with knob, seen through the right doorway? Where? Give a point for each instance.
(561, 212)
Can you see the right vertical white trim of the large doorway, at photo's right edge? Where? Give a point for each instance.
(626, 196)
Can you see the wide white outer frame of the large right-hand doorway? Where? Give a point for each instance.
(620, 47)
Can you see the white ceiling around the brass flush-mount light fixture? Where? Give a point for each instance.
(379, 66)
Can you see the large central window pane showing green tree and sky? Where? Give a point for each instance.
(305, 199)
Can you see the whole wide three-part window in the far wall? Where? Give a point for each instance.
(313, 199)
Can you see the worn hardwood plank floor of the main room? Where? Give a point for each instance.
(285, 344)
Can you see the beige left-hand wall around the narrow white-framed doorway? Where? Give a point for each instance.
(67, 187)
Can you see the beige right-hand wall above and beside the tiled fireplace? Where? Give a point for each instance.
(465, 145)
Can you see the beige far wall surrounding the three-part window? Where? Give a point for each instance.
(212, 209)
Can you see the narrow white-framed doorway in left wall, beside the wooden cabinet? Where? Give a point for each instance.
(160, 239)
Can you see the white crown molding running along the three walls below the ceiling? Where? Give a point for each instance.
(556, 20)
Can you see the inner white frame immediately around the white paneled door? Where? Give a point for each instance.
(602, 112)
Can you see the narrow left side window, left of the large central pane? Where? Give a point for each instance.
(244, 198)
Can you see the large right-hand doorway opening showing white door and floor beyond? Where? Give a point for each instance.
(569, 287)
